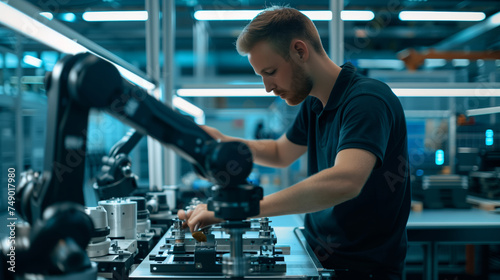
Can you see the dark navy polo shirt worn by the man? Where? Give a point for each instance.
(367, 233)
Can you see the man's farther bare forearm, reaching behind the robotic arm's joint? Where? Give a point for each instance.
(272, 153)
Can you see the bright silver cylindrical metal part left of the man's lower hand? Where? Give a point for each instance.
(122, 217)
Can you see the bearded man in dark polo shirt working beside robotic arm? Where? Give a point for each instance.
(357, 195)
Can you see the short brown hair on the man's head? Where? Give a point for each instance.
(279, 26)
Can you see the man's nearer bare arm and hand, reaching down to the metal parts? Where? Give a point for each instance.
(327, 188)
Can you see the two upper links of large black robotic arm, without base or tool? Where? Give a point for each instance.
(84, 81)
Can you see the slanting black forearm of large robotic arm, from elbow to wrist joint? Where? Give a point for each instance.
(96, 83)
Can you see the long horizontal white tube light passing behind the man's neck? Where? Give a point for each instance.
(402, 92)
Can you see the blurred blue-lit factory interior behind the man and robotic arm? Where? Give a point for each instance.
(446, 72)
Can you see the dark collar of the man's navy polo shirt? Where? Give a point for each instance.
(338, 92)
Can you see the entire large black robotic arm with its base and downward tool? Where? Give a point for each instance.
(52, 202)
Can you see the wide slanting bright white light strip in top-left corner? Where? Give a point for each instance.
(30, 27)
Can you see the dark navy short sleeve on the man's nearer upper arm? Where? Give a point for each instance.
(366, 124)
